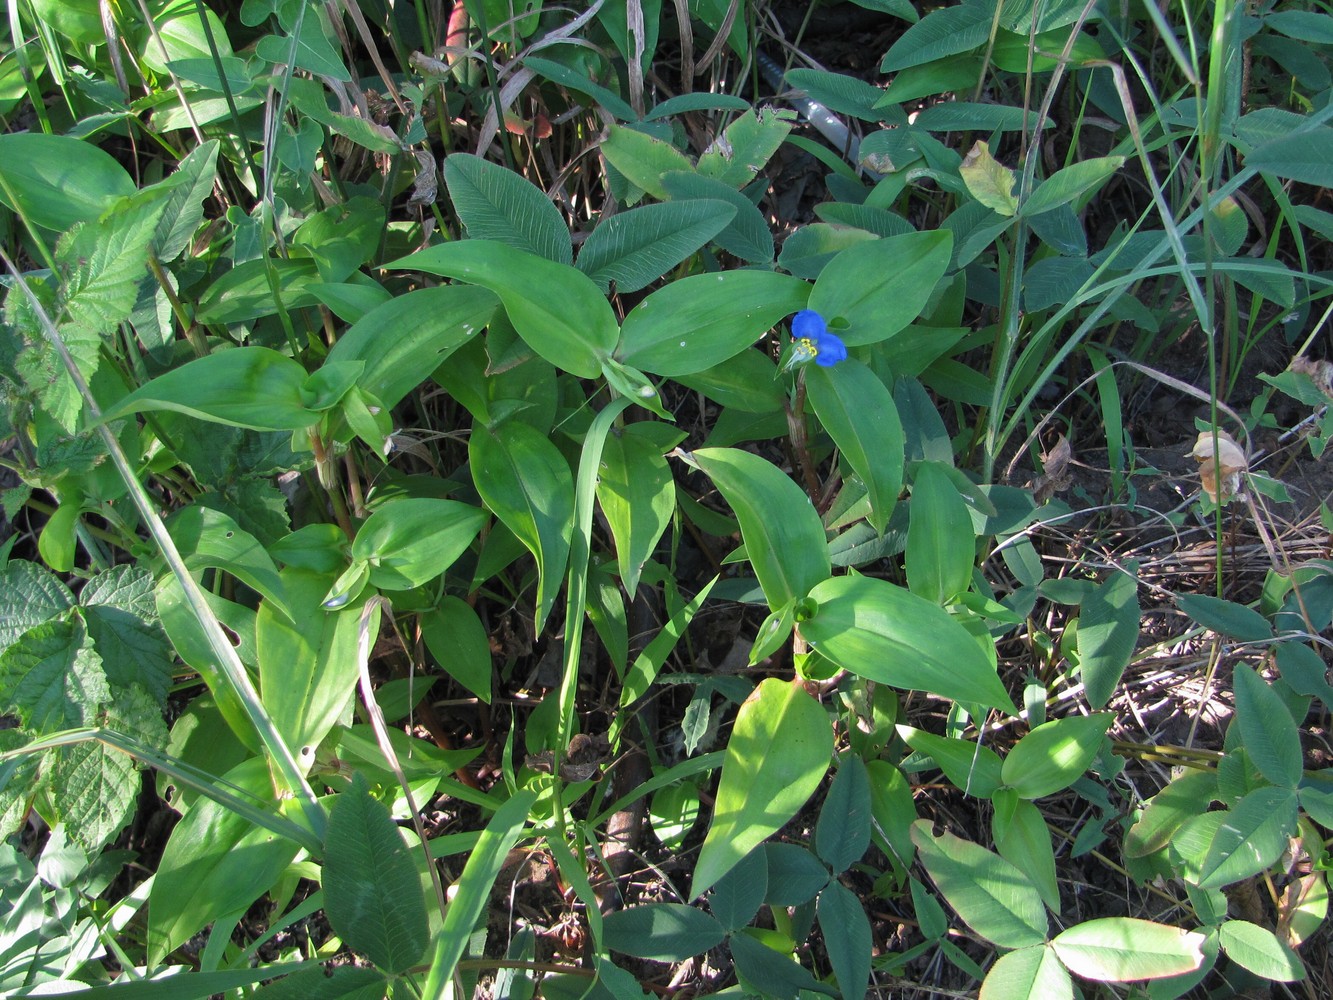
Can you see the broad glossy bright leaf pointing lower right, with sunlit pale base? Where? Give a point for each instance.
(876, 630)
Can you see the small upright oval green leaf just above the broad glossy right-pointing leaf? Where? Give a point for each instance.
(942, 547)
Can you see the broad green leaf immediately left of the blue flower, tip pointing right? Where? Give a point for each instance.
(702, 321)
